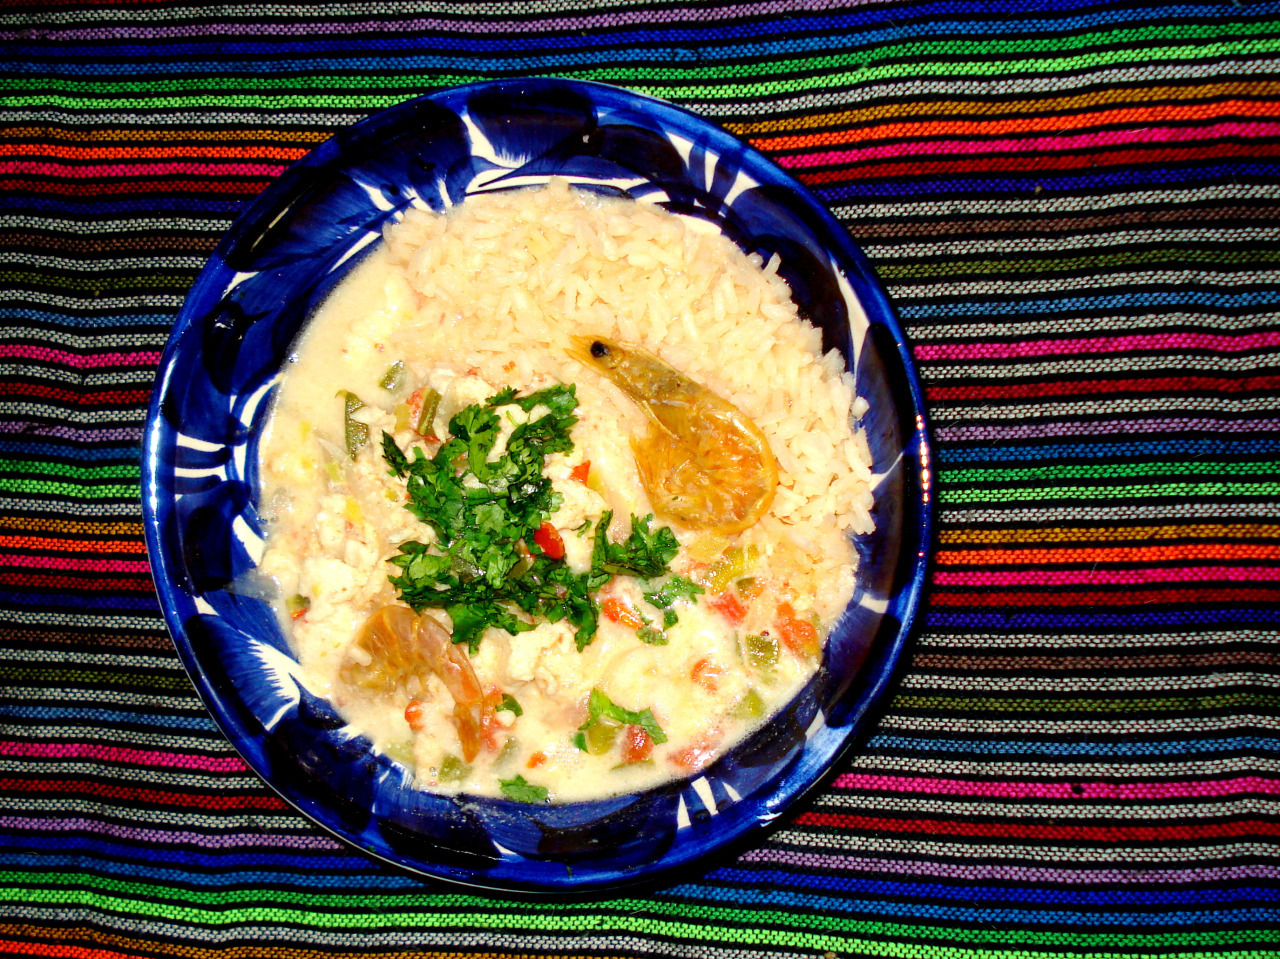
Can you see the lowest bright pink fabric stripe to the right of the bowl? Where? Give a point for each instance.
(1116, 792)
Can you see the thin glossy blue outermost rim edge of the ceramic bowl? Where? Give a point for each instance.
(885, 656)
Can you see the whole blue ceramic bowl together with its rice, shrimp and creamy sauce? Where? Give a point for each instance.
(537, 487)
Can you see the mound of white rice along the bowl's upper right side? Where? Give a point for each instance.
(495, 291)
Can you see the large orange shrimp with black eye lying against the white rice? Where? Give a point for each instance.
(703, 463)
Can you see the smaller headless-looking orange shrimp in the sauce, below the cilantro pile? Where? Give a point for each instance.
(396, 647)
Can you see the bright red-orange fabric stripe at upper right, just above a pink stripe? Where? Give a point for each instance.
(1130, 117)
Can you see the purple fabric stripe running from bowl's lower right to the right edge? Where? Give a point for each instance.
(1039, 875)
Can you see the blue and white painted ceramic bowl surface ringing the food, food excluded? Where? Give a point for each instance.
(202, 488)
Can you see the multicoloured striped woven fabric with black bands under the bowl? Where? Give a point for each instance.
(1076, 209)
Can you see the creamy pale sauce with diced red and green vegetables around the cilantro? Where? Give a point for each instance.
(734, 655)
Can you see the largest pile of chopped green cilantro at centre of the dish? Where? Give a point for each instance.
(484, 509)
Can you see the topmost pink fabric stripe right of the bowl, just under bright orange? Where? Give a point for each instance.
(921, 149)
